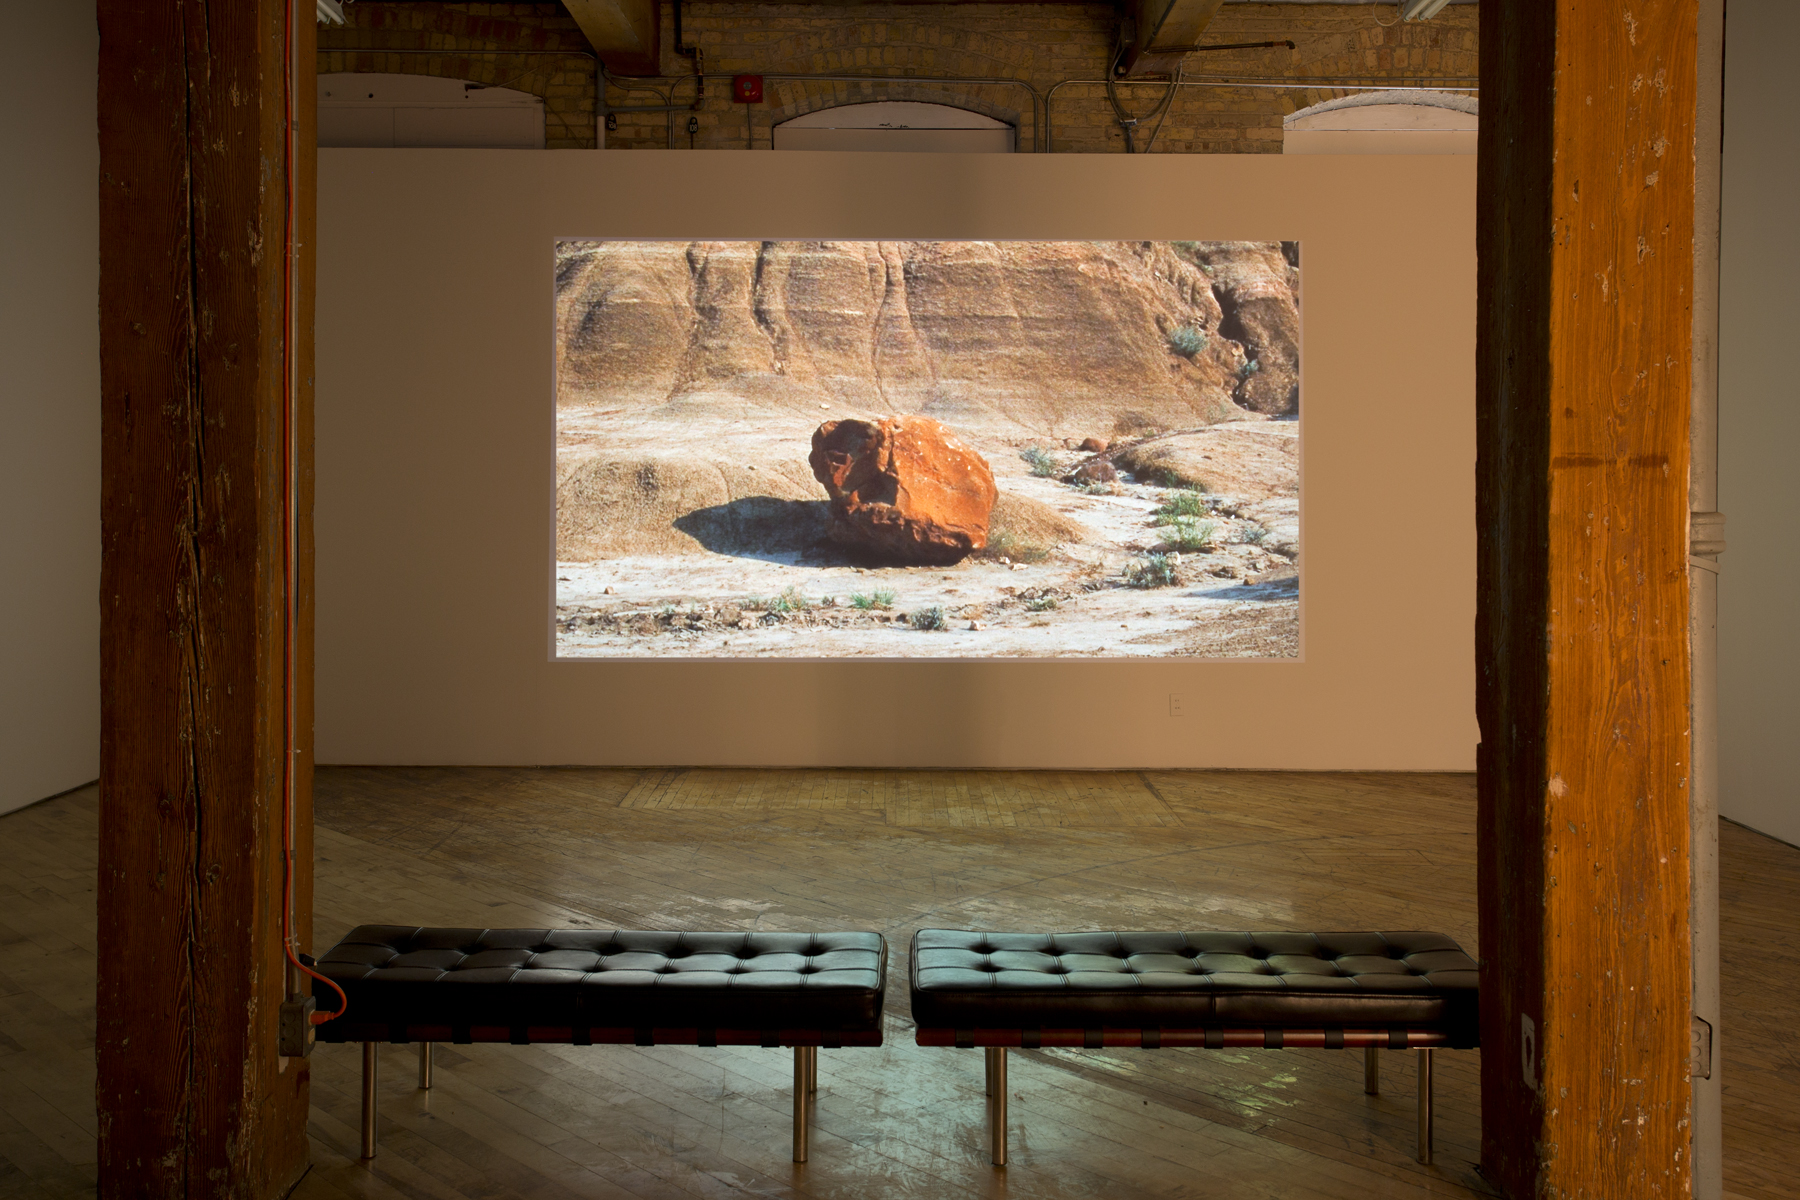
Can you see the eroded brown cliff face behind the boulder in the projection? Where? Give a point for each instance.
(1038, 339)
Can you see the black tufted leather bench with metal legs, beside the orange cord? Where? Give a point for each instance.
(586, 987)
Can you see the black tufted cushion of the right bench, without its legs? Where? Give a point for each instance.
(967, 980)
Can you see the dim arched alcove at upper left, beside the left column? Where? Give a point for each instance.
(366, 109)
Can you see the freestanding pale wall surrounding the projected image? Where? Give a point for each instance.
(435, 463)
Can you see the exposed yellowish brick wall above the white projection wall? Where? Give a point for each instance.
(1039, 44)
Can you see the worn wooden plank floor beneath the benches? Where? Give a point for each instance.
(892, 852)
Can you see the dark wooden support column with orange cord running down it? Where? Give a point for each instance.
(193, 1097)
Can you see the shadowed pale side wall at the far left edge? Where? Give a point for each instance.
(49, 402)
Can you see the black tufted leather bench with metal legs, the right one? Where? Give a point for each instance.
(1214, 990)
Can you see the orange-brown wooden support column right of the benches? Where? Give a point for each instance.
(1587, 274)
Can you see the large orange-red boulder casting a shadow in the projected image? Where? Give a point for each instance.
(904, 488)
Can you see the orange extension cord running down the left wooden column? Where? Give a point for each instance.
(291, 562)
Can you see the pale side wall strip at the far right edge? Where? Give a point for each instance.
(1759, 422)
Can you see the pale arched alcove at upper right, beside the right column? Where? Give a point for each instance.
(1385, 123)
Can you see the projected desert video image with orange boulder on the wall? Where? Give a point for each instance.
(928, 449)
